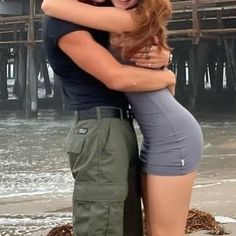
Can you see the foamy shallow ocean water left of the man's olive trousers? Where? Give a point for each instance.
(33, 166)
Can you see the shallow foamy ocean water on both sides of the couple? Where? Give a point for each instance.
(33, 165)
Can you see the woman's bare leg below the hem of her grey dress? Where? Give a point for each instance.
(167, 201)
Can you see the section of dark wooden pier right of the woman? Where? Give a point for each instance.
(203, 35)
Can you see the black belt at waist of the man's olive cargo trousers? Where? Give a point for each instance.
(103, 112)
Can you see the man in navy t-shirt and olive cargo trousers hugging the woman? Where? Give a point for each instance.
(102, 145)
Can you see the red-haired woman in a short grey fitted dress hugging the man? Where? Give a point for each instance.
(172, 143)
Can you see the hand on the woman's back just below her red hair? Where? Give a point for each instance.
(153, 58)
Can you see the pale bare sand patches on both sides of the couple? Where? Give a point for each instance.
(218, 200)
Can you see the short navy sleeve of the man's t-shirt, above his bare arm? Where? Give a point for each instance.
(56, 28)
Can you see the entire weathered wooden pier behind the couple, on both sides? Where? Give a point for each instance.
(202, 33)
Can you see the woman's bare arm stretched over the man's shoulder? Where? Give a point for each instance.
(109, 19)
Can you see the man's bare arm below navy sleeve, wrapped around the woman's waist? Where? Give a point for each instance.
(97, 61)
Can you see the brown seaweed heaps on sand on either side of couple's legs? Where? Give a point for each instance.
(196, 221)
